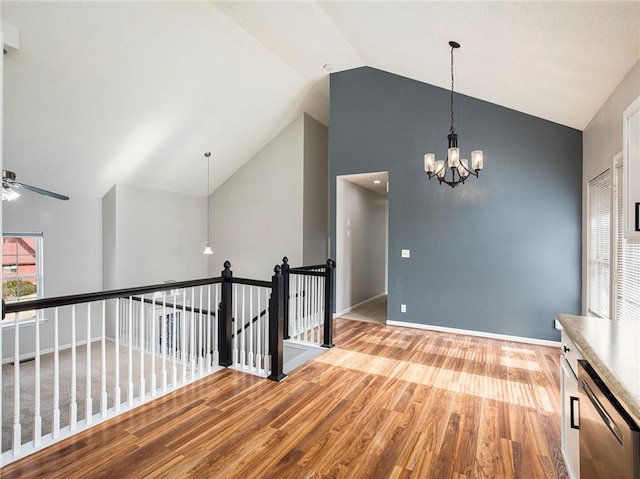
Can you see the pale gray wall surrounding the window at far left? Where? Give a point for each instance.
(72, 254)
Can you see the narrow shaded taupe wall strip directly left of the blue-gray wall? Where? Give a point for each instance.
(316, 192)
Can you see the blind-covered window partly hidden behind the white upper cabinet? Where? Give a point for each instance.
(626, 270)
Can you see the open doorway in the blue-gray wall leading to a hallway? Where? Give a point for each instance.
(362, 218)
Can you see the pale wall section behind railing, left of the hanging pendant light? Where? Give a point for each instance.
(159, 236)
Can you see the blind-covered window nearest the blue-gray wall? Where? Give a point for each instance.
(599, 245)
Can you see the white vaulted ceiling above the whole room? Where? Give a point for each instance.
(135, 92)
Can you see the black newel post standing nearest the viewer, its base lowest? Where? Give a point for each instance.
(276, 325)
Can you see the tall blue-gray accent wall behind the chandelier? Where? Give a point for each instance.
(500, 254)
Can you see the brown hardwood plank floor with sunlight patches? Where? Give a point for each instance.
(387, 402)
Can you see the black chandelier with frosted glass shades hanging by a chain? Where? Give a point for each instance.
(459, 168)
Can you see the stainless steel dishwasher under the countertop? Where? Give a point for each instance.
(609, 438)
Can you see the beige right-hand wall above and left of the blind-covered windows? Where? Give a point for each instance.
(601, 140)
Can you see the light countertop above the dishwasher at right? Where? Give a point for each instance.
(612, 348)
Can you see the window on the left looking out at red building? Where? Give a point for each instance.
(21, 270)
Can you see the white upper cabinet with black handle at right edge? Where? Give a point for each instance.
(631, 171)
